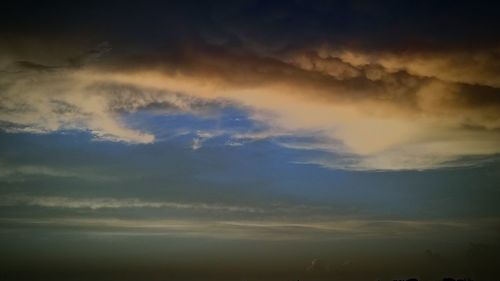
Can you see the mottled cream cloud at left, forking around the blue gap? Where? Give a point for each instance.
(46, 102)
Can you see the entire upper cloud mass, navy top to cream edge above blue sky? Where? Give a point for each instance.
(381, 96)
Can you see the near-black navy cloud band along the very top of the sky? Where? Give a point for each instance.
(276, 25)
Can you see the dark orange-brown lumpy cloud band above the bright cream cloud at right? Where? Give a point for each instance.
(332, 79)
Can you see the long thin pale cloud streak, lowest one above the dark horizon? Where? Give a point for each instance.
(263, 229)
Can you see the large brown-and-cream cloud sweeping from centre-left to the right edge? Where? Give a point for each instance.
(392, 120)
